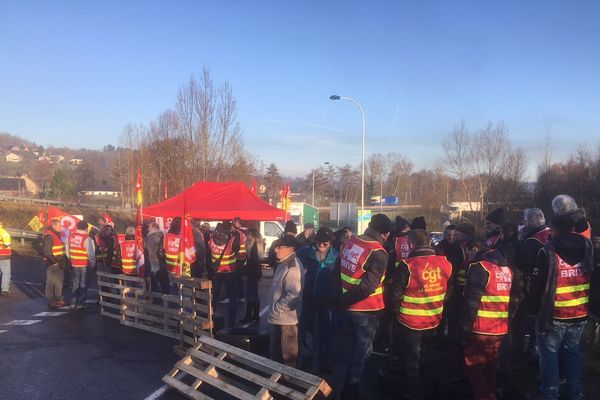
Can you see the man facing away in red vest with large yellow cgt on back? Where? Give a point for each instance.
(416, 293)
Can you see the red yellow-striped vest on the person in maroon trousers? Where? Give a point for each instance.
(492, 314)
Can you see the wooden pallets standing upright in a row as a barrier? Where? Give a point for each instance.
(185, 317)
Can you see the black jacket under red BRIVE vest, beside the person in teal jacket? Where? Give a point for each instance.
(375, 267)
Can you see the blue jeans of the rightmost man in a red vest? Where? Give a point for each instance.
(561, 345)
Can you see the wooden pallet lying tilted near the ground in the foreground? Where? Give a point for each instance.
(214, 368)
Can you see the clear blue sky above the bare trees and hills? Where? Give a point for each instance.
(74, 73)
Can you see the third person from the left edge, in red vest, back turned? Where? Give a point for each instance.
(80, 249)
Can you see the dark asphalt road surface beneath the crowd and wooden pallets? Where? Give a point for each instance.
(64, 354)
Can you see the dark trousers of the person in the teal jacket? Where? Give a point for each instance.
(313, 312)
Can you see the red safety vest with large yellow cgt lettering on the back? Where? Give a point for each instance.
(423, 300)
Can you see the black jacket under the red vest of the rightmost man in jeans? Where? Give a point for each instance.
(571, 247)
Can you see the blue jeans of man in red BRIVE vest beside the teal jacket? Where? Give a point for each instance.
(363, 326)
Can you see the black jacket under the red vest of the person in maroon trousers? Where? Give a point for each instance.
(477, 279)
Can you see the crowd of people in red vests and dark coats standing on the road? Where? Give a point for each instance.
(518, 292)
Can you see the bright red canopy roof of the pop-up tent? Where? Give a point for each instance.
(216, 201)
